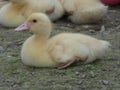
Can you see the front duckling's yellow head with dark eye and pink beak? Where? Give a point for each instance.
(37, 23)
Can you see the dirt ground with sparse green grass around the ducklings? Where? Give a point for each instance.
(103, 74)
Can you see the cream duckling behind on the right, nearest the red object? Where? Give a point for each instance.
(84, 11)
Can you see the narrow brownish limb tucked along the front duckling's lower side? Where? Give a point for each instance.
(75, 59)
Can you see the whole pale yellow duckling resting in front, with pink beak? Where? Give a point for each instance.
(59, 51)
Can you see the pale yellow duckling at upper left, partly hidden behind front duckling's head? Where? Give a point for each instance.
(16, 11)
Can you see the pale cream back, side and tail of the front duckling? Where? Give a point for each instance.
(71, 45)
